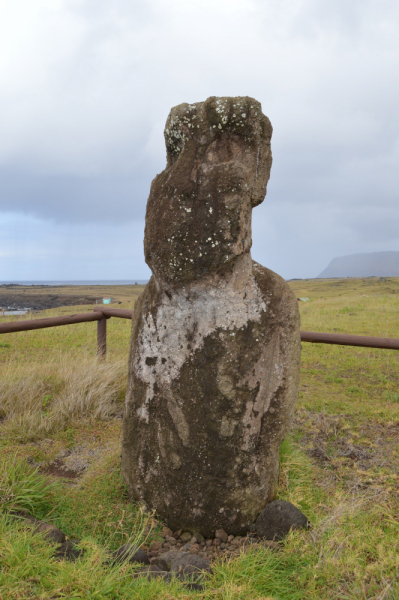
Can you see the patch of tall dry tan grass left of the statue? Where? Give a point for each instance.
(44, 398)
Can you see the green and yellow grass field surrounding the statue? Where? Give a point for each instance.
(339, 463)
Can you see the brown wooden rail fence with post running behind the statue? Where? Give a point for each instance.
(101, 315)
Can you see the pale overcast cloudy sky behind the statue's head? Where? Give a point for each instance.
(85, 89)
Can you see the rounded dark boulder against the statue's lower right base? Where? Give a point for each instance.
(276, 520)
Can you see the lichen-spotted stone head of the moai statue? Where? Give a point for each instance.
(199, 211)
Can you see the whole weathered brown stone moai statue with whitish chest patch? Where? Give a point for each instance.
(215, 347)
